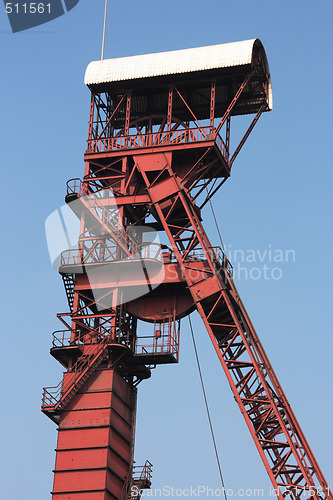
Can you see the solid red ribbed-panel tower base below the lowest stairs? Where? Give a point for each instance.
(95, 441)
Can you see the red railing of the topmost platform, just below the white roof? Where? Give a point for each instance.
(155, 139)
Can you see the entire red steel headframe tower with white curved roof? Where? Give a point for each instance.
(158, 149)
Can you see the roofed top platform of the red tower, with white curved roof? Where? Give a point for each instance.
(171, 101)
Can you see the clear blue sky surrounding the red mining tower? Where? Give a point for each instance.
(280, 194)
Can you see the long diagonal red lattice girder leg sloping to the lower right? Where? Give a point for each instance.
(278, 437)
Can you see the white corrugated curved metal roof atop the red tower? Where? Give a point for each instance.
(170, 63)
